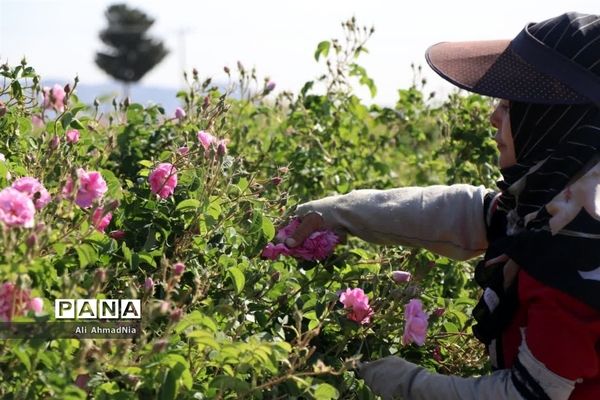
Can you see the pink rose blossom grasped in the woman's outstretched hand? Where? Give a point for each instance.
(317, 246)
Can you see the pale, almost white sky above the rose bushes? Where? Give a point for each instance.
(60, 37)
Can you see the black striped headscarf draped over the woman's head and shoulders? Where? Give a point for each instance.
(555, 145)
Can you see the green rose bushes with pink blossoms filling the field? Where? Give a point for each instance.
(184, 212)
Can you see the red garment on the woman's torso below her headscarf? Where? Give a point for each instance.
(562, 332)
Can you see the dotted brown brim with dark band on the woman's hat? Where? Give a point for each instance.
(492, 68)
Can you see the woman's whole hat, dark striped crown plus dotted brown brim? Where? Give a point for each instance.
(556, 61)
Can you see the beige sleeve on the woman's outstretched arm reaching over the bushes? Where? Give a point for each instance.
(447, 220)
